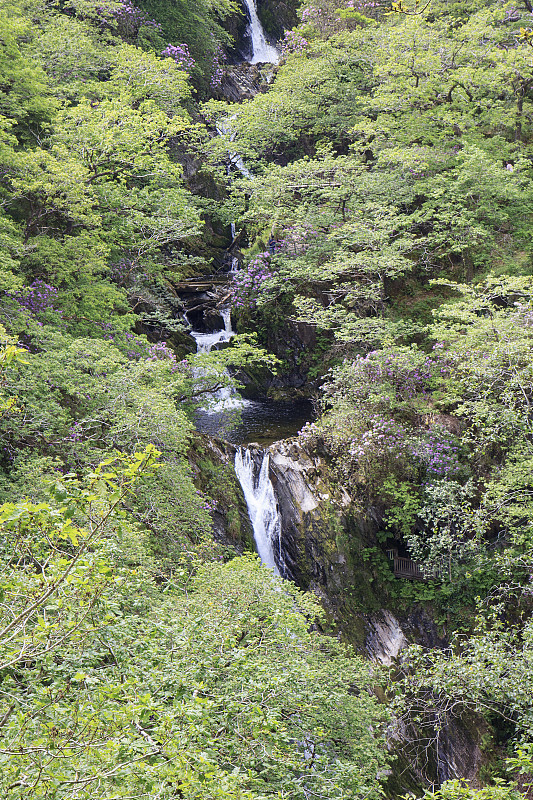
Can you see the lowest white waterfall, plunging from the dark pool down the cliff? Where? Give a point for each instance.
(262, 507)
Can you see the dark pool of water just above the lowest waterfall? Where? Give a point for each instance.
(261, 421)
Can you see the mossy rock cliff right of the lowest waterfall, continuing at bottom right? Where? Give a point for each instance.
(323, 541)
